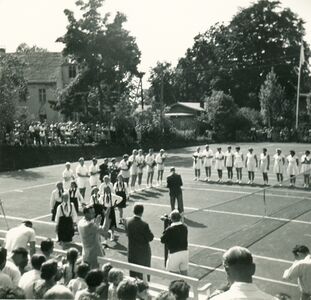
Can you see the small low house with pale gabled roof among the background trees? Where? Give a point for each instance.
(184, 114)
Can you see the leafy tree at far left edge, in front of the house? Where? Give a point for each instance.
(13, 88)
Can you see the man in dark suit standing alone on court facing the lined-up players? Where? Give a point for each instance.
(174, 183)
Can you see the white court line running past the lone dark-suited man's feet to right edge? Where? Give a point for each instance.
(231, 213)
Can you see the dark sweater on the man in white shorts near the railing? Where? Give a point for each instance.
(175, 238)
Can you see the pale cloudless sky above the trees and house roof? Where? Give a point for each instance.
(164, 29)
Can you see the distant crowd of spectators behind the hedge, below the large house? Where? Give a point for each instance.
(61, 133)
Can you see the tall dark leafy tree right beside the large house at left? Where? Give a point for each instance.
(107, 56)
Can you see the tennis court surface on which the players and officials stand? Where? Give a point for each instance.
(270, 222)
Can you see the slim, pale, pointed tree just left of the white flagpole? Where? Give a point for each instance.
(272, 100)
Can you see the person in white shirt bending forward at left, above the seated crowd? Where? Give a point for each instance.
(21, 236)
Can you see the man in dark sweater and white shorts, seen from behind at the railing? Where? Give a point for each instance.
(175, 237)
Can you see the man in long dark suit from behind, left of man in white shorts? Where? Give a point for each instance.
(139, 236)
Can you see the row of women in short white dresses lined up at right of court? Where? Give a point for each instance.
(236, 159)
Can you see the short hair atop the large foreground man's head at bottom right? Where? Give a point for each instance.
(237, 256)
